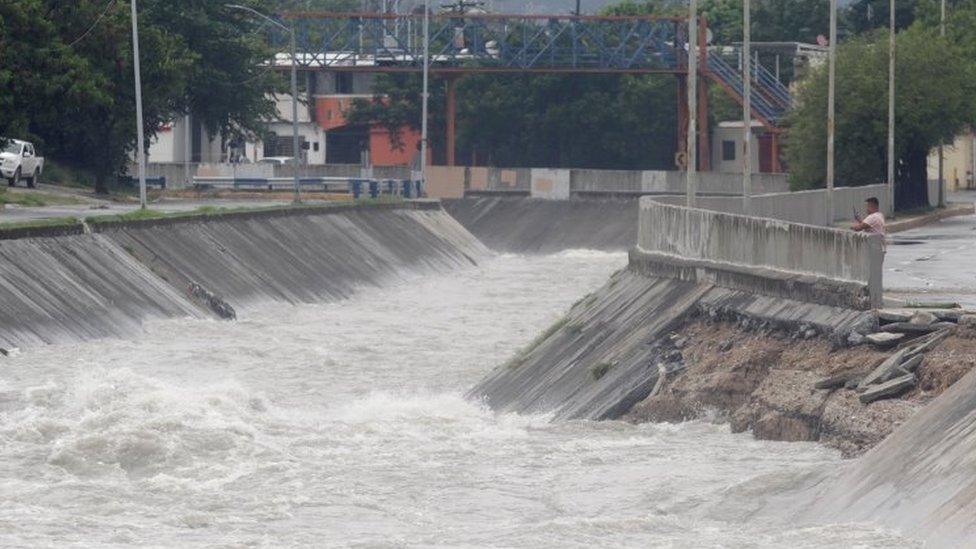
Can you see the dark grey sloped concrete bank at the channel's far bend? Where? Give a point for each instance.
(536, 226)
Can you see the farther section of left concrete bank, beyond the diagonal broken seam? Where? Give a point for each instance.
(299, 257)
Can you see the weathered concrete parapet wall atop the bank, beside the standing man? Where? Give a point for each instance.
(770, 257)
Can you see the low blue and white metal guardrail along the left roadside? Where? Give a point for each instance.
(355, 186)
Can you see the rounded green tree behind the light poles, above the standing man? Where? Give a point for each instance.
(933, 104)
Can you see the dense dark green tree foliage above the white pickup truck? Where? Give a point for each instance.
(66, 76)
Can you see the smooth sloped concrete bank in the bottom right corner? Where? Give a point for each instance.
(920, 480)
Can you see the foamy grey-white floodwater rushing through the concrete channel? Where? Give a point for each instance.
(344, 425)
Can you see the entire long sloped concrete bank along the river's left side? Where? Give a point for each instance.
(71, 287)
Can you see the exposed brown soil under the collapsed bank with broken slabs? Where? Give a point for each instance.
(765, 382)
